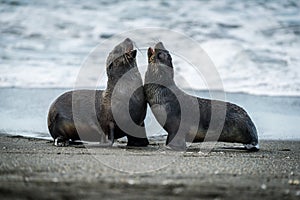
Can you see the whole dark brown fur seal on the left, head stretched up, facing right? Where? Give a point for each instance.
(87, 114)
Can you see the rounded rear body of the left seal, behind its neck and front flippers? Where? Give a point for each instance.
(61, 120)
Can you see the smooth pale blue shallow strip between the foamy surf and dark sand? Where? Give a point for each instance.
(273, 116)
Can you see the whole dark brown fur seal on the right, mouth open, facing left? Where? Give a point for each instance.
(164, 98)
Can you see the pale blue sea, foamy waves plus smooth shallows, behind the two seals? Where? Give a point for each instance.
(254, 46)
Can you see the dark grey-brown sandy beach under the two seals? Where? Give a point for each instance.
(35, 169)
